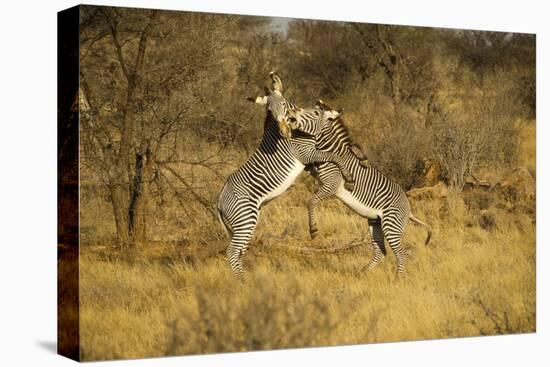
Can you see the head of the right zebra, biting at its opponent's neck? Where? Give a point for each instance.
(312, 121)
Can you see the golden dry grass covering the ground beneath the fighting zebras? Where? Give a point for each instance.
(159, 301)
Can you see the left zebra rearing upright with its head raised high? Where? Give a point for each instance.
(268, 173)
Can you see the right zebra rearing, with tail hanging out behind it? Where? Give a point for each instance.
(375, 197)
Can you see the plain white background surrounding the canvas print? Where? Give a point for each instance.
(28, 181)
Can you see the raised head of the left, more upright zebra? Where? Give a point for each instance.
(276, 104)
